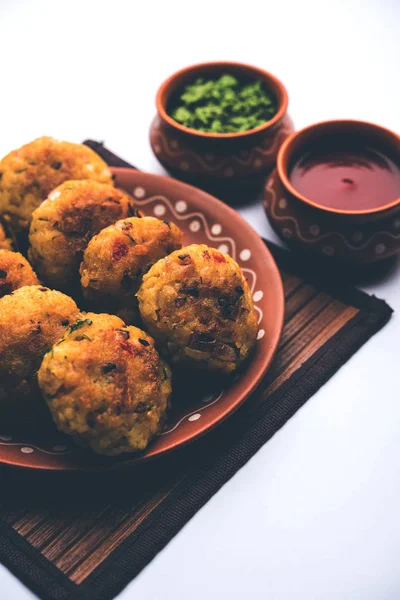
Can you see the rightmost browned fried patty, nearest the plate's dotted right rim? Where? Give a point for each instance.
(198, 306)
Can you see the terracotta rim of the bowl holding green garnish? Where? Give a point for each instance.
(179, 77)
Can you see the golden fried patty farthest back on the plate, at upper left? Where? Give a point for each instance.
(30, 173)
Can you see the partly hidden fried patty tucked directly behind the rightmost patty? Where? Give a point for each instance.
(116, 259)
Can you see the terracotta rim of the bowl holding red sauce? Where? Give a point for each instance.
(294, 141)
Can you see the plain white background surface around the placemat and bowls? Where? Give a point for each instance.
(316, 513)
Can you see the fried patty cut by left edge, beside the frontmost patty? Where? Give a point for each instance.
(32, 319)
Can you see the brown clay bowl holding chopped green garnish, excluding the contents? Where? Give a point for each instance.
(220, 163)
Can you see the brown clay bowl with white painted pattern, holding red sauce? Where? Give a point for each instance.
(356, 237)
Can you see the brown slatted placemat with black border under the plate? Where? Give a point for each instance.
(73, 537)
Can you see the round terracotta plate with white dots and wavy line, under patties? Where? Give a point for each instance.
(196, 408)
